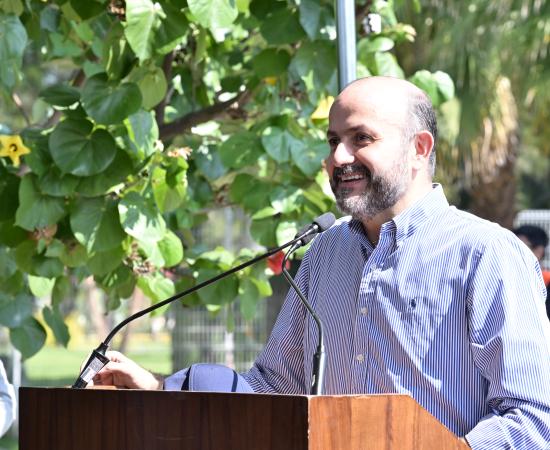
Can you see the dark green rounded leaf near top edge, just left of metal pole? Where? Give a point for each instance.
(282, 27)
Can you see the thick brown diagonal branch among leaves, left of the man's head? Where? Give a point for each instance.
(172, 129)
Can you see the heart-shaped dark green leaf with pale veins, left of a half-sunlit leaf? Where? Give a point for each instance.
(96, 224)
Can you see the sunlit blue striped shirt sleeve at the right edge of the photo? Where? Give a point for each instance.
(510, 344)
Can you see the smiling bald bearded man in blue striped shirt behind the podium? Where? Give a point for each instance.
(416, 296)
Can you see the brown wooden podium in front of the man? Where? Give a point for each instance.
(102, 419)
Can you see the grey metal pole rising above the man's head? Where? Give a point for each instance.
(345, 29)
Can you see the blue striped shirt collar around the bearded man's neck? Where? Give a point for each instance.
(407, 222)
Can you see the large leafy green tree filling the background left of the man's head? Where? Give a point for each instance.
(141, 117)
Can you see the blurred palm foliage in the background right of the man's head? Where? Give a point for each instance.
(485, 46)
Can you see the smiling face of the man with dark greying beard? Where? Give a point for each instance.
(368, 165)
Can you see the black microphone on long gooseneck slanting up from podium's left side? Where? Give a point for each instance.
(98, 360)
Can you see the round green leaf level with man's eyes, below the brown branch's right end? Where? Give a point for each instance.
(241, 150)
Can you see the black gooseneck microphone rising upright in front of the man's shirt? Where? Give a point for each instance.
(322, 223)
